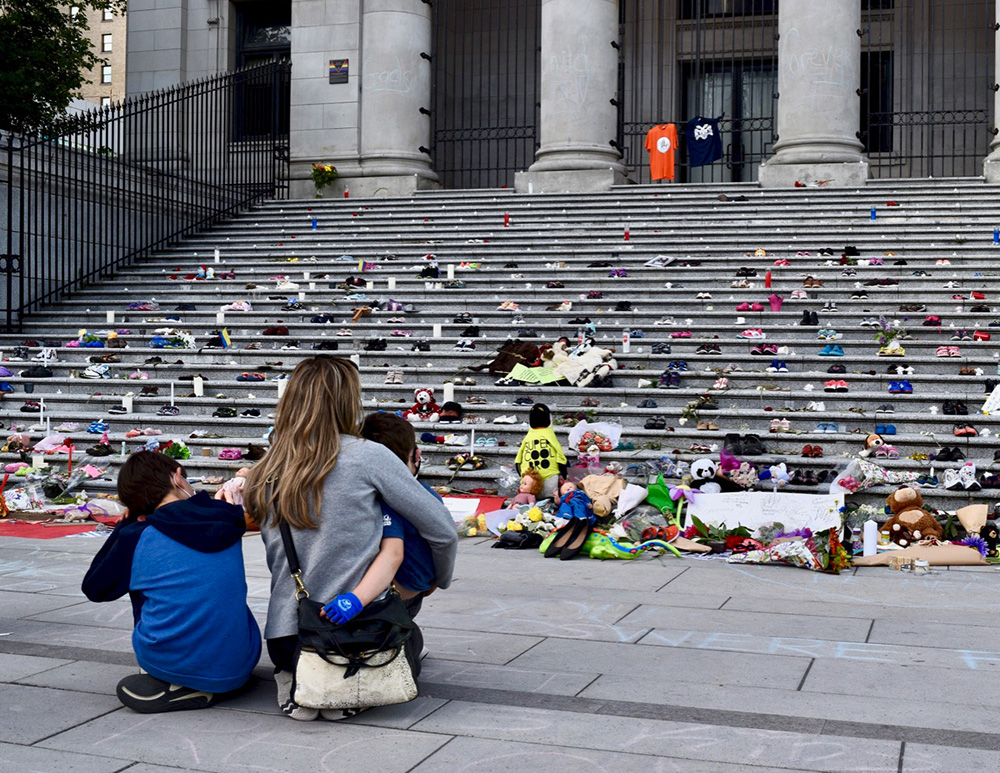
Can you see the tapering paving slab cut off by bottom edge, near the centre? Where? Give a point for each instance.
(483, 756)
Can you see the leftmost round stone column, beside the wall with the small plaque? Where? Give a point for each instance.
(395, 85)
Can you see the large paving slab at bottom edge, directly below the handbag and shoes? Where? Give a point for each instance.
(235, 741)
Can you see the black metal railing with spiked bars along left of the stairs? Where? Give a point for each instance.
(96, 191)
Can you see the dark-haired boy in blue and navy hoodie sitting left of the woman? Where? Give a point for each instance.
(179, 556)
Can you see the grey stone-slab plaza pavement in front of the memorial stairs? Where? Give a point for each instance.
(659, 664)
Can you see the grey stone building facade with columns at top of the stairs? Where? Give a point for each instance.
(562, 94)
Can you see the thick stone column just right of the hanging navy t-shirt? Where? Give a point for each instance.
(819, 110)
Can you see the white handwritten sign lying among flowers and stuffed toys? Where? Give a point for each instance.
(758, 508)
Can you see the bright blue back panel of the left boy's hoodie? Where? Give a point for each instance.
(195, 628)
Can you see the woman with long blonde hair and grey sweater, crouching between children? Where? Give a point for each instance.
(326, 483)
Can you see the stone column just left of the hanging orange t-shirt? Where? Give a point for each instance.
(579, 79)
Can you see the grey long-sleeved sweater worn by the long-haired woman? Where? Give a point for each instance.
(335, 556)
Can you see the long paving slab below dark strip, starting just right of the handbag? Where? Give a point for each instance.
(725, 745)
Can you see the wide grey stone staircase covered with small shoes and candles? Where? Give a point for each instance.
(558, 238)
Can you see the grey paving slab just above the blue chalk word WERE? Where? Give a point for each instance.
(726, 621)
